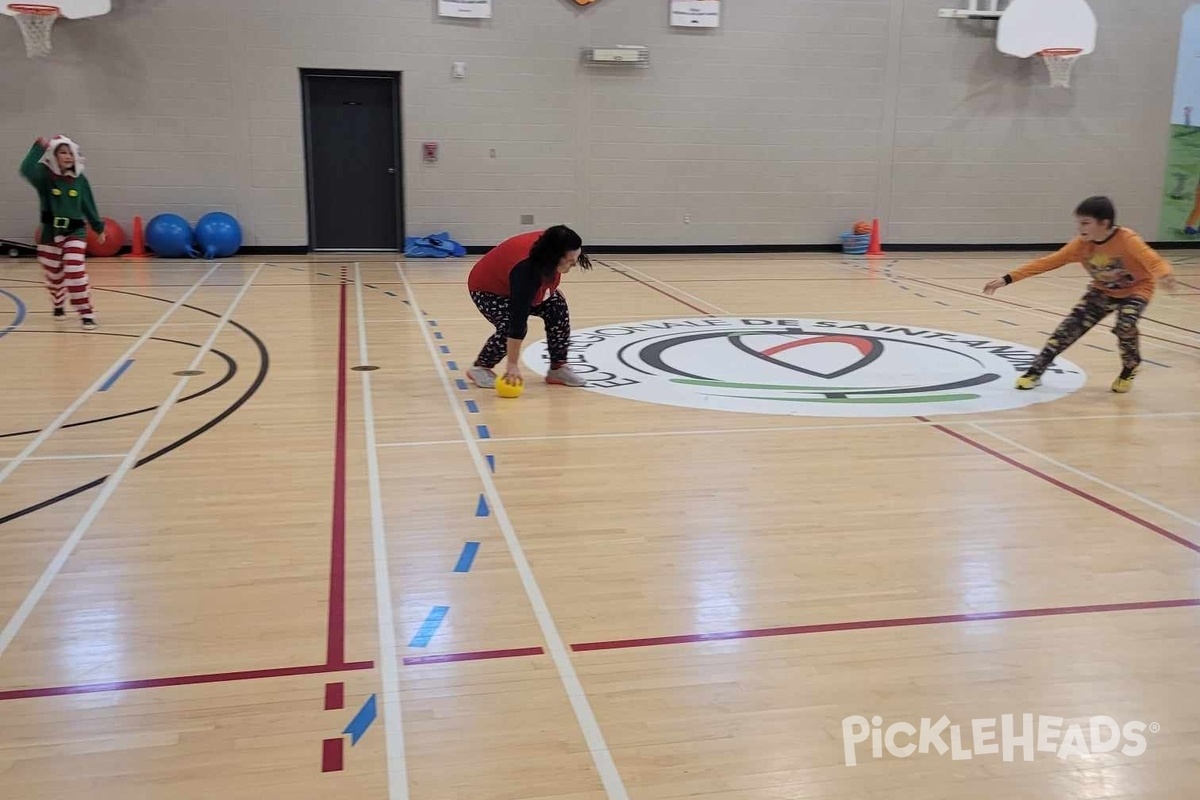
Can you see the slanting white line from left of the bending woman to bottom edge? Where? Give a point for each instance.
(601, 754)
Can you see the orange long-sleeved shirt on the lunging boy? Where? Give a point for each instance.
(1123, 267)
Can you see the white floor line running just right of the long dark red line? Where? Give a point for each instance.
(389, 671)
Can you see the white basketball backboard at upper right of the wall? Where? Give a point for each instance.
(1029, 27)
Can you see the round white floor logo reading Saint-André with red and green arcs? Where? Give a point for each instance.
(808, 368)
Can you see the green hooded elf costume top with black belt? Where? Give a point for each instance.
(65, 195)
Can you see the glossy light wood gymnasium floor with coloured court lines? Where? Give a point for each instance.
(308, 580)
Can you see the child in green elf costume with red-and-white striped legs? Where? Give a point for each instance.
(56, 170)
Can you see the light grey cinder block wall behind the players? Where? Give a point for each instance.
(783, 127)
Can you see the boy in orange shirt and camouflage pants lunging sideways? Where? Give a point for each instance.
(1125, 270)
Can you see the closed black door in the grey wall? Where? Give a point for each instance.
(352, 131)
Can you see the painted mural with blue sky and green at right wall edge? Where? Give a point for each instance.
(1181, 195)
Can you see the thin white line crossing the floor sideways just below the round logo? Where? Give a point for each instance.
(793, 429)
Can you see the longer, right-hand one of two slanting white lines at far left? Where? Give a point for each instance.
(27, 606)
